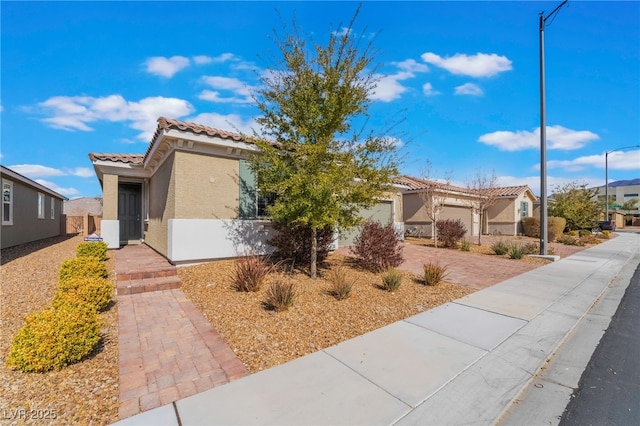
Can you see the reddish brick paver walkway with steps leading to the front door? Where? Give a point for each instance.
(168, 349)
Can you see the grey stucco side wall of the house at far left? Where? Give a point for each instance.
(26, 226)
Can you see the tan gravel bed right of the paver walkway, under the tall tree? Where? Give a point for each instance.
(262, 338)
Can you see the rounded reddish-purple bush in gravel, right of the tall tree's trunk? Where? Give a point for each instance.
(378, 247)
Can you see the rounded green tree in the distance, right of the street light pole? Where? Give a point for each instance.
(577, 204)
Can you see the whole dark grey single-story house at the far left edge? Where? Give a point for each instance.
(30, 211)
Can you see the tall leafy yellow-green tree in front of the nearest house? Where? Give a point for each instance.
(320, 169)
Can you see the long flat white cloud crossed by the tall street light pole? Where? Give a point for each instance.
(558, 137)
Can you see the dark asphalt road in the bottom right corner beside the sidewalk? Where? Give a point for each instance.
(609, 389)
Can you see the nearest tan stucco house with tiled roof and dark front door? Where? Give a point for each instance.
(191, 196)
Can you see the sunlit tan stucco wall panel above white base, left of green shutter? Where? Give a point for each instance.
(206, 186)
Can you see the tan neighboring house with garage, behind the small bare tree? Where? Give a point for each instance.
(457, 205)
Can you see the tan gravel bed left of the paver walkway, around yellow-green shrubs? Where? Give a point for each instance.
(83, 393)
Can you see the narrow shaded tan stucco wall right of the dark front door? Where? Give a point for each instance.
(161, 205)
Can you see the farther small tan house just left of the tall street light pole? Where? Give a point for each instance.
(512, 204)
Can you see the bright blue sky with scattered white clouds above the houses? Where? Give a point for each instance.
(80, 77)
